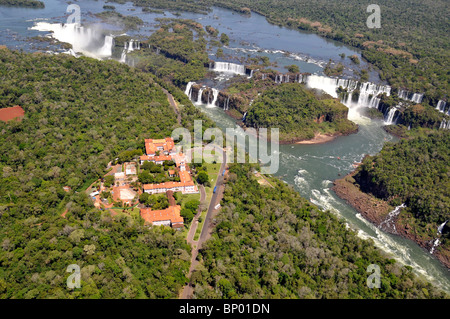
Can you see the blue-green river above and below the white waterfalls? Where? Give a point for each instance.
(309, 168)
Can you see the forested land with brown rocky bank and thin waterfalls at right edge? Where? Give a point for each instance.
(412, 172)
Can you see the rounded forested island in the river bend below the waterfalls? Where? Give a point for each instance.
(299, 113)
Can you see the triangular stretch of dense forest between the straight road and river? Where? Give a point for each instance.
(269, 242)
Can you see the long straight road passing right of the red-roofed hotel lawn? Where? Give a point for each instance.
(188, 290)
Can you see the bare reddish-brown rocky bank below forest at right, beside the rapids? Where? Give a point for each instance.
(376, 211)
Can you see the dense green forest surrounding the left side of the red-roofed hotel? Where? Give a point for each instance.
(80, 113)
